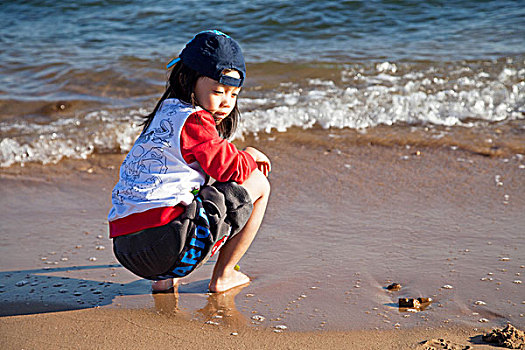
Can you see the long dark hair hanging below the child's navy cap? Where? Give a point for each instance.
(181, 85)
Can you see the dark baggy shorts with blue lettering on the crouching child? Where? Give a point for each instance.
(216, 214)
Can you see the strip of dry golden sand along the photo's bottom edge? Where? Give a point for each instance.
(145, 329)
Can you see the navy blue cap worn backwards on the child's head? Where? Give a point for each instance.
(209, 53)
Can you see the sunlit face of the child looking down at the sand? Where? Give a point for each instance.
(216, 98)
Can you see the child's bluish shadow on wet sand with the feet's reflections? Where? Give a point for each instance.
(35, 291)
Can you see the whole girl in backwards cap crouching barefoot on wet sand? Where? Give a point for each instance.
(165, 221)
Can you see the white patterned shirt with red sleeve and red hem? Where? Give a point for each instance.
(169, 160)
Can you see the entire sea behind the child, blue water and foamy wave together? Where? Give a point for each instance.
(73, 75)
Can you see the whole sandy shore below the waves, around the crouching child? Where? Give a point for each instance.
(345, 219)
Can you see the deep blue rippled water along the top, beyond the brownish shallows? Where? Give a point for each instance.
(93, 33)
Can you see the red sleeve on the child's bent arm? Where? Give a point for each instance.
(218, 157)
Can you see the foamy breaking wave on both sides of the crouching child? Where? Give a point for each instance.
(357, 95)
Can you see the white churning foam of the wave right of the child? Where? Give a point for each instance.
(422, 97)
